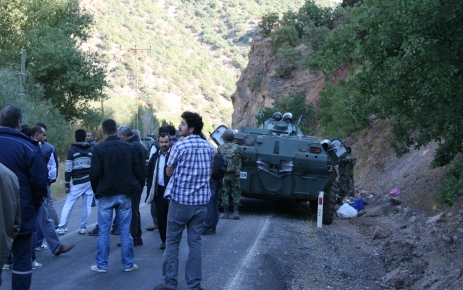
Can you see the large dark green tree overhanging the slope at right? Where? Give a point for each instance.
(407, 67)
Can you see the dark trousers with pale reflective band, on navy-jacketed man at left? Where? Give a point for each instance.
(22, 262)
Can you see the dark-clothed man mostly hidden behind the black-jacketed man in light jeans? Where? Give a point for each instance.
(125, 133)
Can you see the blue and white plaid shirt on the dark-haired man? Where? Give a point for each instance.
(192, 160)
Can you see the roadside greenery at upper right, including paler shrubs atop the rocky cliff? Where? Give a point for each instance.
(404, 60)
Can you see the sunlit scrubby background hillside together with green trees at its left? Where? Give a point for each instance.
(140, 62)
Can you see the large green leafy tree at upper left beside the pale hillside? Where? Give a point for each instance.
(52, 33)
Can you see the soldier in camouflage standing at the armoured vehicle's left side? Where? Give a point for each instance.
(231, 181)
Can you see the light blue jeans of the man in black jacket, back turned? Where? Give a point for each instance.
(123, 206)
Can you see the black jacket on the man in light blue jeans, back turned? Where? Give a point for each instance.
(115, 168)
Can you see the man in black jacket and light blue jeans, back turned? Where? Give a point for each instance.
(114, 176)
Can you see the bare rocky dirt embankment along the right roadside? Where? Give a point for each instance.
(406, 242)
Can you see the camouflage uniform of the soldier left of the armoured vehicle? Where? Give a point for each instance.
(231, 181)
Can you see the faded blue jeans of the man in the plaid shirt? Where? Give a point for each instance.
(180, 216)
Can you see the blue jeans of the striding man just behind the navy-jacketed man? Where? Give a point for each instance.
(45, 227)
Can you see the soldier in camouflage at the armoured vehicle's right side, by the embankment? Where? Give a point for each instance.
(346, 174)
